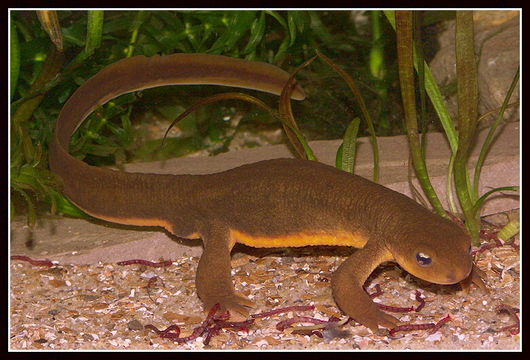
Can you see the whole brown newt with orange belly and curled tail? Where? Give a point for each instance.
(280, 202)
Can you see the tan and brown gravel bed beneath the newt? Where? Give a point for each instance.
(107, 306)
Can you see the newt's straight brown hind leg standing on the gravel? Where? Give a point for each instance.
(213, 279)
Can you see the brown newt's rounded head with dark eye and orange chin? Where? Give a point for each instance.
(438, 252)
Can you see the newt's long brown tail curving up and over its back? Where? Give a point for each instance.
(109, 194)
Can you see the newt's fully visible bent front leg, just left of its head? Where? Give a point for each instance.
(347, 286)
